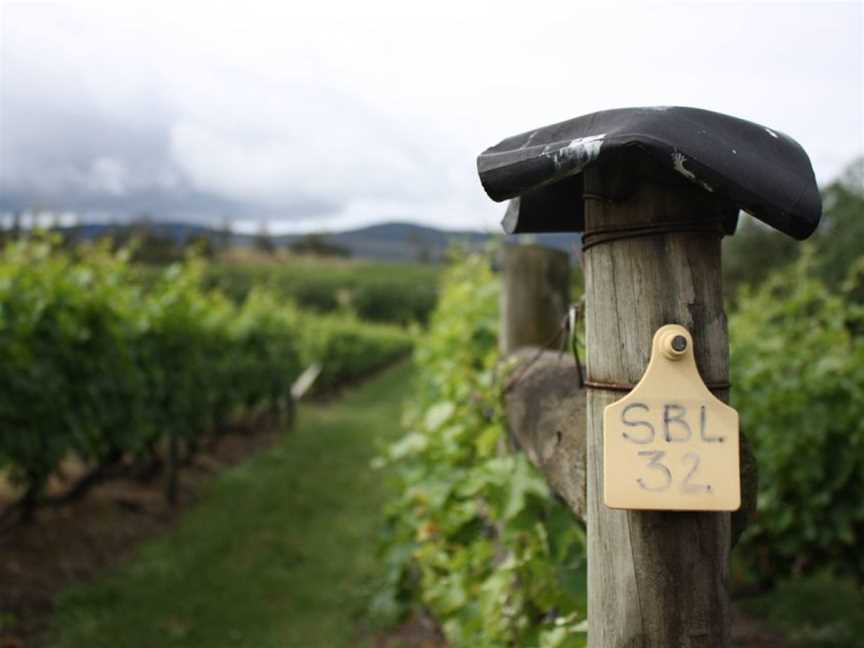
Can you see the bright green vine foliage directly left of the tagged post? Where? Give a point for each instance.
(476, 536)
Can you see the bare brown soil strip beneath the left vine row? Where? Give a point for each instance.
(68, 544)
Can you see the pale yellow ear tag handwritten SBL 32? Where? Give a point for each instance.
(670, 444)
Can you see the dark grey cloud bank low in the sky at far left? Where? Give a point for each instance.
(61, 150)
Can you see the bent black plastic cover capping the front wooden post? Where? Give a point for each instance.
(762, 171)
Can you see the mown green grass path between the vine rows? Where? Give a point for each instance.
(279, 553)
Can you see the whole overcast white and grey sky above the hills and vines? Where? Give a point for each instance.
(326, 115)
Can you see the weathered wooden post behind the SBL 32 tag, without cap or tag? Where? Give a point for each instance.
(655, 579)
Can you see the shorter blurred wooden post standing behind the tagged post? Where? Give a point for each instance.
(535, 295)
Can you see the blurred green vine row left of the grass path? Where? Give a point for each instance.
(100, 362)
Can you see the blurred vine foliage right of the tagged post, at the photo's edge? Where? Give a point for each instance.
(798, 376)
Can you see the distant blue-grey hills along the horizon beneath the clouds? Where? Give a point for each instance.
(393, 241)
